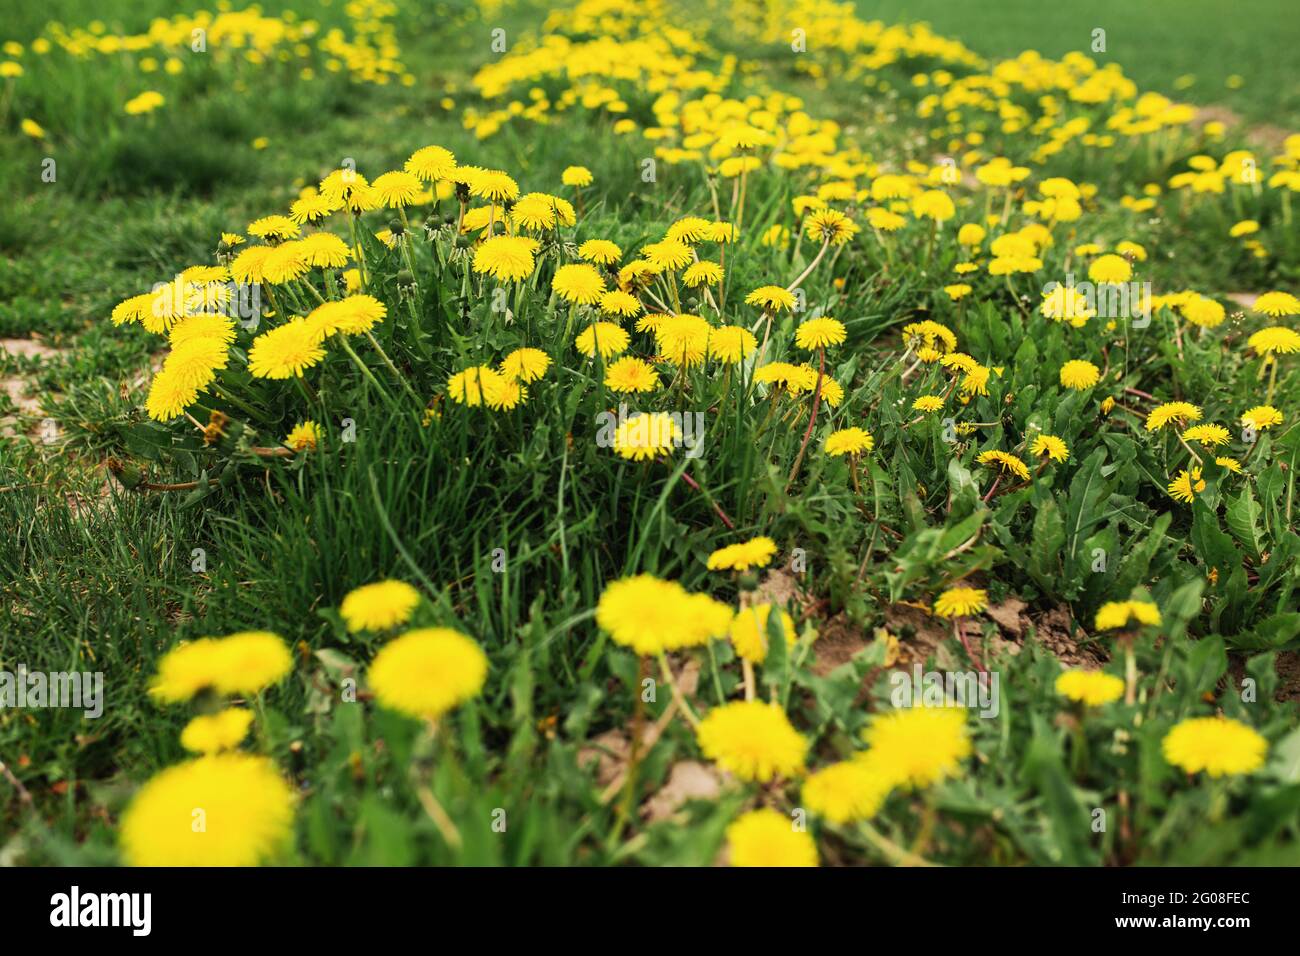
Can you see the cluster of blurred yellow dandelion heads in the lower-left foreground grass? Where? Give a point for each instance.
(229, 807)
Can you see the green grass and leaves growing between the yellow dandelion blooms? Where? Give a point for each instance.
(107, 581)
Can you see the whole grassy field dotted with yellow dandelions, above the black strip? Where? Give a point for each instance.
(729, 434)
